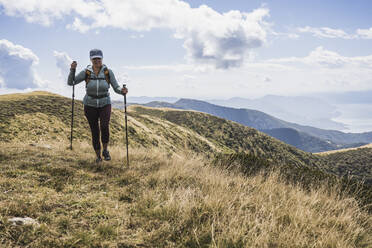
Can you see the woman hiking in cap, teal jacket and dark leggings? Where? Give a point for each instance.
(97, 102)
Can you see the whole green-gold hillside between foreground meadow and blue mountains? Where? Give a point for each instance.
(42, 116)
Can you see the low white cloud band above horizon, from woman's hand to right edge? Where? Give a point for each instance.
(319, 71)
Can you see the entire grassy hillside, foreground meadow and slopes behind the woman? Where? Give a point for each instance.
(179, 191)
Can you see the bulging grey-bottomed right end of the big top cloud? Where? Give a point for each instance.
(224, 40)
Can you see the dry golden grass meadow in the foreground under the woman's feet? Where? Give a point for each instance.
(163, 200)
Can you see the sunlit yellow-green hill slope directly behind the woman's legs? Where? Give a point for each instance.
(41, 116)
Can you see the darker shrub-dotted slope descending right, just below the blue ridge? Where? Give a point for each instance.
(235, 136)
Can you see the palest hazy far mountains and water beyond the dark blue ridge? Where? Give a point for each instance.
(336, 111)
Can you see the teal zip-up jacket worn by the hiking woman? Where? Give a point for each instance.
(97, 86)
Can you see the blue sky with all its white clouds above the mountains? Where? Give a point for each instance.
(196, 49)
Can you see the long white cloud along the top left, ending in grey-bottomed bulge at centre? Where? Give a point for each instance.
(221, 39)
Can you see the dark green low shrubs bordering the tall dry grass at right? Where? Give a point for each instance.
(307, 177)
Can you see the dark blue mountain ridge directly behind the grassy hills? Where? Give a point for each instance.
(306, 138)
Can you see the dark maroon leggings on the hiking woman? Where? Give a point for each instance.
(103, 115)
